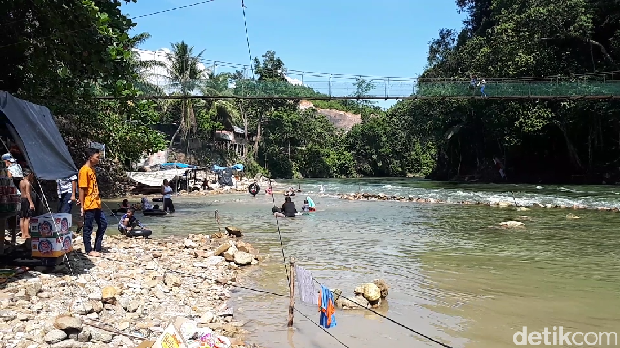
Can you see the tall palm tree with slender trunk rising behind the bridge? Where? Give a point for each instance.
(184, 73)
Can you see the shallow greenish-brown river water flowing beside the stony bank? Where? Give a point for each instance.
(453, 274)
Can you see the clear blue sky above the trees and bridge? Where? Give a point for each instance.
(386, 38)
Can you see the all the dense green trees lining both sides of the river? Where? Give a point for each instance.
(64, 55)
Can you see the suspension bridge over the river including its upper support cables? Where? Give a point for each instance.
(300, 85)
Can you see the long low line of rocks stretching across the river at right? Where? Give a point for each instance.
(414, 199)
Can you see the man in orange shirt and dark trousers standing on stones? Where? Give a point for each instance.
(91, 204)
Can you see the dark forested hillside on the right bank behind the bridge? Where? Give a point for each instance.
(550, 140)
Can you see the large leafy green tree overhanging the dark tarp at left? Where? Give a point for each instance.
(63, 53)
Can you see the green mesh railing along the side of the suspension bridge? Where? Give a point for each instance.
(339, 87)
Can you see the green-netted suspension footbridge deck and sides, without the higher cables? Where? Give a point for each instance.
(335, 89)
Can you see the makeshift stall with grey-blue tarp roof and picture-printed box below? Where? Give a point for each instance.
(33, 129)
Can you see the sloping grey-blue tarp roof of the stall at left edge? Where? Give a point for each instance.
(34, 129)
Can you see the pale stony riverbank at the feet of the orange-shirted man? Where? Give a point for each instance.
(130, 294)
